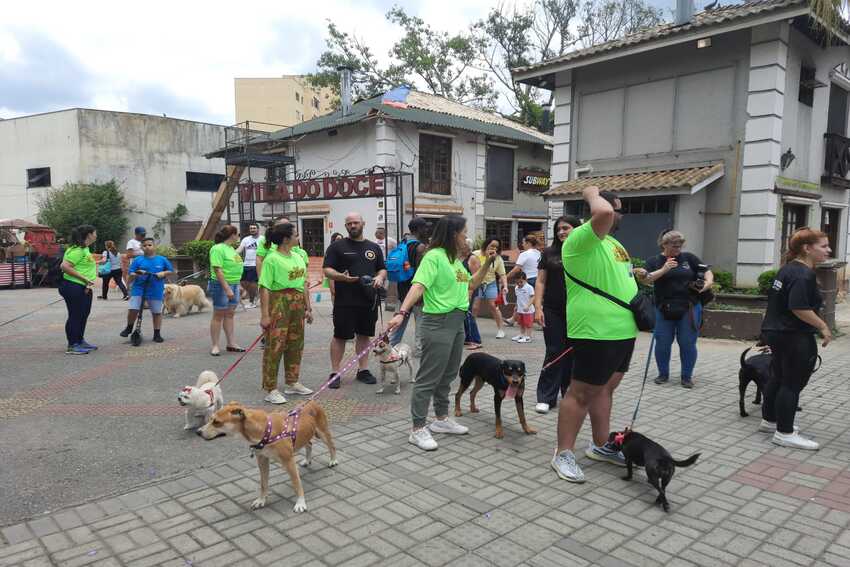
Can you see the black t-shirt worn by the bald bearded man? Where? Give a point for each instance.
(358, 258)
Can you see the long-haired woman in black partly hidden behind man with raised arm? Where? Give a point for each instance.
(550, 312)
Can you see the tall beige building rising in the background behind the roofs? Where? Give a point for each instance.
(280, 101)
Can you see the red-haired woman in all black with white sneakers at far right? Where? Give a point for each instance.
(789, 327)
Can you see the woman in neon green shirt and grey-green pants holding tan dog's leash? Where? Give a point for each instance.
(444, 284)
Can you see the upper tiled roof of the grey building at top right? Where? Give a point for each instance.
(704, 19)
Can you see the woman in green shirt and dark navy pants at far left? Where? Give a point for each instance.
(79, 274)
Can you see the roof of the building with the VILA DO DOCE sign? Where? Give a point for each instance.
(427, 109)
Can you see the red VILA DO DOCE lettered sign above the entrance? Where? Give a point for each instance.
(344, 187)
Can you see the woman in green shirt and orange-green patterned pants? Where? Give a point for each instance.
(285, 304)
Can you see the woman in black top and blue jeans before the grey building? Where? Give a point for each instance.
(678, 278)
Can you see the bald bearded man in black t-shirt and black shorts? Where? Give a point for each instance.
(355, 309)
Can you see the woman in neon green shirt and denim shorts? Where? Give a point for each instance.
(225, 274)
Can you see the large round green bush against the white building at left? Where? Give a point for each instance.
(101, 205)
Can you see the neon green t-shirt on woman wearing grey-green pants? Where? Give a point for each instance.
(446, 283)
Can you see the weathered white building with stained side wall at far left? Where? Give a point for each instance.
(158, 161)
